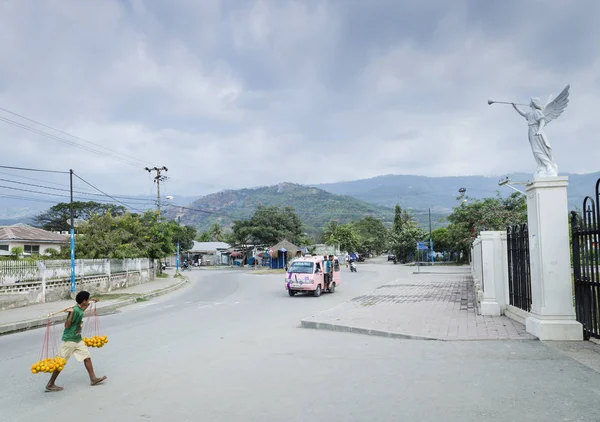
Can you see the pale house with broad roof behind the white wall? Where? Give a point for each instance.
(33, 240)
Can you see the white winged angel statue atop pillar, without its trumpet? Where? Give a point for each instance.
(537, 119)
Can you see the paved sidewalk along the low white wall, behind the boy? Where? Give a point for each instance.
(33, 316)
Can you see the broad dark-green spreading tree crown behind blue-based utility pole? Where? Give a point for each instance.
(57, 218)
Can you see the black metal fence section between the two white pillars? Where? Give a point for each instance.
(519, 276)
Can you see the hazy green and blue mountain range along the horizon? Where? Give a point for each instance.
(341, 201)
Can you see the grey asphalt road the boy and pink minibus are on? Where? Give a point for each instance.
(229, 348)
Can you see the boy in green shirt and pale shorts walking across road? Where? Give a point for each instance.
(72, 343)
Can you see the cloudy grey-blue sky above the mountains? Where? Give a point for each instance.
(236, 93)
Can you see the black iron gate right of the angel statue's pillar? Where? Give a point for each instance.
(585, 239)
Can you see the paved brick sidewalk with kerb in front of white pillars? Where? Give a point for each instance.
(437, 305)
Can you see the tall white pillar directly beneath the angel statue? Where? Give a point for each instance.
(552, 311)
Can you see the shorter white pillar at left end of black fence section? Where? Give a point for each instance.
(493, 265)
